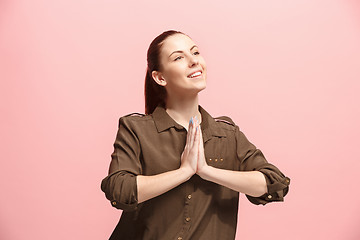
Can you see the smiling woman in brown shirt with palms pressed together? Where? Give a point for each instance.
(180, 179)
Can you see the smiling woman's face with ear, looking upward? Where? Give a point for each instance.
(180, 58)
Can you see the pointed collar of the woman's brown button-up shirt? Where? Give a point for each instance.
(163, 121)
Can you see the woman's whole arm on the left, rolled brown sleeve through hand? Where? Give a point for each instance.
(125, 187)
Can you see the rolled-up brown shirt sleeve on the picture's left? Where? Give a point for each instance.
(120, 186)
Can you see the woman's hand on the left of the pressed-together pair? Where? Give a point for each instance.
(190, 154)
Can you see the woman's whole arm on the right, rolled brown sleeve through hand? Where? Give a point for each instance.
(261, 181)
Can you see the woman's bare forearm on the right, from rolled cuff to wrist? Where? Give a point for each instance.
(252, 183)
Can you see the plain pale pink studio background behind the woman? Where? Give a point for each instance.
(287, 72)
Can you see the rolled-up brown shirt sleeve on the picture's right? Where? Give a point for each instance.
(252, 159)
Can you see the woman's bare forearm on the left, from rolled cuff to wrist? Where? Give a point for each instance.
(152, 186)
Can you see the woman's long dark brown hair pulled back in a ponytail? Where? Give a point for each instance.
(155, 94)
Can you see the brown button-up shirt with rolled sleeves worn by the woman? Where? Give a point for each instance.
(196, 209)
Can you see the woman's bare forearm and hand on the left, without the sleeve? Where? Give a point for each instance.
(152, 186)
